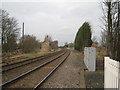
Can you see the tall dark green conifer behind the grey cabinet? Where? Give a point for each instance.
(83, 37)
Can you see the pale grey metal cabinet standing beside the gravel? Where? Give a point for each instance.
(90, 58)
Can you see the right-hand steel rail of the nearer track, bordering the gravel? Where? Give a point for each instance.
(48, 75)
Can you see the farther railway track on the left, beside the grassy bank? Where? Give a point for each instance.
(25, 62)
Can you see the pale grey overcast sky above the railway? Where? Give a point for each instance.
(60, 20)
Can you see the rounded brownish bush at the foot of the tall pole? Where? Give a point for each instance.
(29, 44)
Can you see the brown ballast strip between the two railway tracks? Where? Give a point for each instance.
(12, 73)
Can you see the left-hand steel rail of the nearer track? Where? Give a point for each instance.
(30, 71)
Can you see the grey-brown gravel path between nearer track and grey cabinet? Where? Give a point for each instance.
(67, 75)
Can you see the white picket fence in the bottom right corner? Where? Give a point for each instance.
(111, 74)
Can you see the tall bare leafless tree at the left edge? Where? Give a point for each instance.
(10, 32)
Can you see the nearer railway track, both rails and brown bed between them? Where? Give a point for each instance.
(36, 76)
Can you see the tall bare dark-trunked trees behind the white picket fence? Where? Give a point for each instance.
(111, 17)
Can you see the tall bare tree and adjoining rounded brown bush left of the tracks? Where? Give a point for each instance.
(10, 36)
